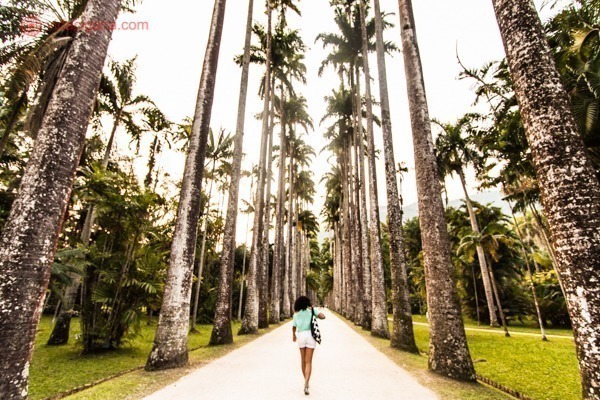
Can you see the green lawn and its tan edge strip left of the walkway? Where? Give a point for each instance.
(56, 369)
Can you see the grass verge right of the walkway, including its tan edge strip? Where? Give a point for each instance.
(537, 369)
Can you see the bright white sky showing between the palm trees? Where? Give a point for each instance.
(171, 51)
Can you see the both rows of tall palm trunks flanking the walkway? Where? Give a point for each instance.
(569, 190)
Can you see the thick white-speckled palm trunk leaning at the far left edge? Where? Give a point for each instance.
(26, 249)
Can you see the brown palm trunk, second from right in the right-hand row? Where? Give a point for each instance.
(449, 353)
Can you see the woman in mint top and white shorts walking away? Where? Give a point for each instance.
(306, 343)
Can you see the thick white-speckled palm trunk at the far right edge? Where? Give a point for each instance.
(569, 186)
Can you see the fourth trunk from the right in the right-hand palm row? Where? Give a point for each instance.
(379, 324)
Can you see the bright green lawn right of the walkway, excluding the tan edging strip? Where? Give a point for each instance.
(540, 370)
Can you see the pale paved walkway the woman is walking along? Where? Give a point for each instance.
(345, 367)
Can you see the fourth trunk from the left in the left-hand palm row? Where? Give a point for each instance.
(250, 320)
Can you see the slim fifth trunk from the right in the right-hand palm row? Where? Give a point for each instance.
(366, 260)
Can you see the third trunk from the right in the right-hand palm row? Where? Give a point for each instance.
(402, 333)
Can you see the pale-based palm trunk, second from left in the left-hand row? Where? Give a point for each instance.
(170, 342)
